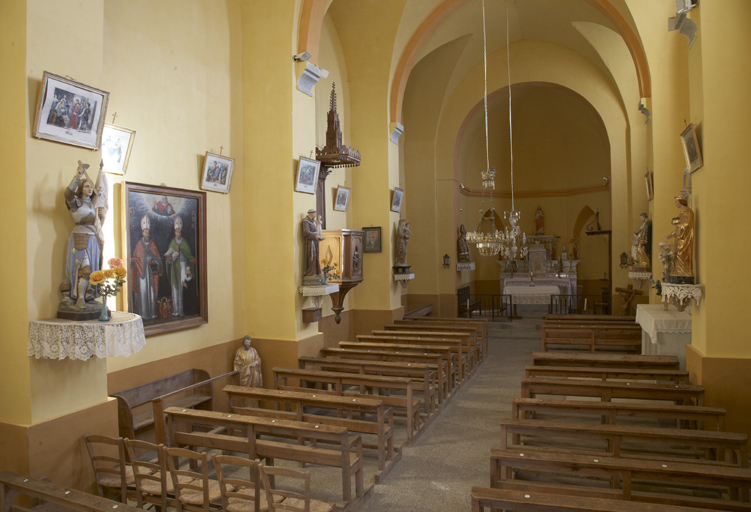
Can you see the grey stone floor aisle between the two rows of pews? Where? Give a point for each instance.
(452, 455)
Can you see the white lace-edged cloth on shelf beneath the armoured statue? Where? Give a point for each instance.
(55, 338)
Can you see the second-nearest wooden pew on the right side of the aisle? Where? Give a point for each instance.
(630, 479)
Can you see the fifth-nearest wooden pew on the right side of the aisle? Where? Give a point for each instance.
(682, 394)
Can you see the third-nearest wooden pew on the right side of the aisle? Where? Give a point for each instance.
(673, 444)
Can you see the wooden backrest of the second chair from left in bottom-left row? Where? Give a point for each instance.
(152, 480)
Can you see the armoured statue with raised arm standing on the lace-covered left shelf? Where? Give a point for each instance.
(88, 206)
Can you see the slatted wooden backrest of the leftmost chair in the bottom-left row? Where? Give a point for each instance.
(112, 473)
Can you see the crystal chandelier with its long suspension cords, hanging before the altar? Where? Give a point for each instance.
(505, 244)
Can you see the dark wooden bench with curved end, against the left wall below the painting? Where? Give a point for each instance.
(138, 407)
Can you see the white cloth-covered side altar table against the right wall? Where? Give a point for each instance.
(664, 332)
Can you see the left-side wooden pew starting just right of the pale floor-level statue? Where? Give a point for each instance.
(339, 381)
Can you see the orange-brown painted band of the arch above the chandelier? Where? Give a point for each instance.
(421, 36)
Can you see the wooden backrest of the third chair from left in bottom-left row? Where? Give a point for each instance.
(189, 471)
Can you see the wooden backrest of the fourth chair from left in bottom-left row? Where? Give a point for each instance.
(235, 489)
